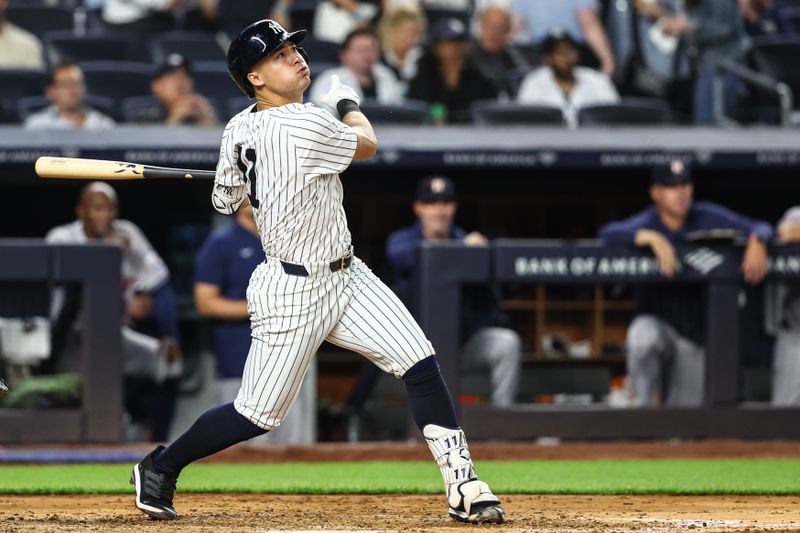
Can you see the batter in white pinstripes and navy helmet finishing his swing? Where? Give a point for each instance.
(285, 158)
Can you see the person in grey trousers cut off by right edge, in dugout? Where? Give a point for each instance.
(786, 365)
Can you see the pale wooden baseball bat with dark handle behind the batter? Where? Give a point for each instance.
(100, 169)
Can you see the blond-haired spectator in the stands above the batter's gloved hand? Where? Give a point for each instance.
(401, 31)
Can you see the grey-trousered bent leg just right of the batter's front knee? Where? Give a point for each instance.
(499, 350)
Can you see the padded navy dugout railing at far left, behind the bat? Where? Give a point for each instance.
(96, 269)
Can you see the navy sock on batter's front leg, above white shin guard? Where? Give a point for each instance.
(428, 395)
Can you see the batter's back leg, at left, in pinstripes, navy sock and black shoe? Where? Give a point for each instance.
(284, 340)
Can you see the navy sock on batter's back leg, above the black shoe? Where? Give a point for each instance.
(215, 430)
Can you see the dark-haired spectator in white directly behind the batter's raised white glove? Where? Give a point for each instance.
(361, 70)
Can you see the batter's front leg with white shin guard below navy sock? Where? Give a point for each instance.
(377, 325)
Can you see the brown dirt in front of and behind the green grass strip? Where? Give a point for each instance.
(267, 512)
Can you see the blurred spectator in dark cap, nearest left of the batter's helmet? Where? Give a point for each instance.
(176, 101)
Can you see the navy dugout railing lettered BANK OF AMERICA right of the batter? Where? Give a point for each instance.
(442, 270)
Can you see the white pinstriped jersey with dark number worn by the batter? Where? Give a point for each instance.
(289, 159)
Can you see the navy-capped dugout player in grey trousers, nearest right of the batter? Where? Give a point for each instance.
(485, 341)
